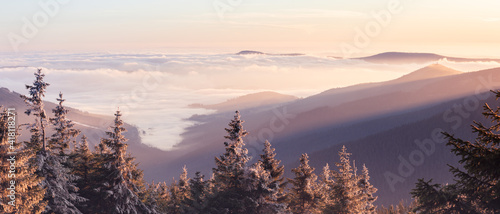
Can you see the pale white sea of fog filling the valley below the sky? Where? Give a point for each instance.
(153, 89)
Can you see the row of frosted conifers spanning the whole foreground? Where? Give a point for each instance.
(52, 177)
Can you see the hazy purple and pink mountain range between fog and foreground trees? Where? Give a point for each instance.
(393, 127)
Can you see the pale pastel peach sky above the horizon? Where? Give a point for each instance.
(458, 28)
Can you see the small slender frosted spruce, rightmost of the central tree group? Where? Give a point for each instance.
(366, 191)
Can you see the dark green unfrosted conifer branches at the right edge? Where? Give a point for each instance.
(477, 188)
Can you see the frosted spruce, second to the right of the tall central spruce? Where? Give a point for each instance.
(304, 195)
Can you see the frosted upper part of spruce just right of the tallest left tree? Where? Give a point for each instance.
(64, 131)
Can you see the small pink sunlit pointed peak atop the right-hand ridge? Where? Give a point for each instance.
(431, 71)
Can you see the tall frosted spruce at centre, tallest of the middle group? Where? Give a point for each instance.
(229, 175)
